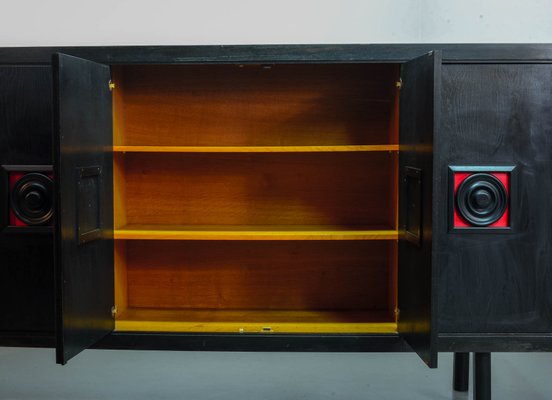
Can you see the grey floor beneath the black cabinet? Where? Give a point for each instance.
(106, 374)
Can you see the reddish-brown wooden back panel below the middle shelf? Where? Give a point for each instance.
(344, 275)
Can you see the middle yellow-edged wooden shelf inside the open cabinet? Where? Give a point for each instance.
(253, 232)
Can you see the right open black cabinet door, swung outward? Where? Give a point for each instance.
(419, 113)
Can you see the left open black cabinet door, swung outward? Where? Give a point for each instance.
(83, 168)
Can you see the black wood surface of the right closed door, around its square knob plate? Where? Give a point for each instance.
(497, 283)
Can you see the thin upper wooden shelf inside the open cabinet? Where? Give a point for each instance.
(254, 149)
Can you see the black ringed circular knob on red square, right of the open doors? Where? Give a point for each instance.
(481, 199)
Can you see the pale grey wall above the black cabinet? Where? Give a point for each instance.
(66, 22)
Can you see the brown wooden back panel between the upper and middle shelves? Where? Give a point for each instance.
(261, 189)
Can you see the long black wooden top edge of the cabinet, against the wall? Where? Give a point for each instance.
(503, 53)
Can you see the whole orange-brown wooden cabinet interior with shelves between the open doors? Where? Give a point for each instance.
(256, 198)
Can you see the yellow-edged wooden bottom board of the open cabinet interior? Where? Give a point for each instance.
(248, 321)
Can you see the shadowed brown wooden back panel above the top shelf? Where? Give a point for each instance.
(254, 105)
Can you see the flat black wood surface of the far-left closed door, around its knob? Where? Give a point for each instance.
(26, 259)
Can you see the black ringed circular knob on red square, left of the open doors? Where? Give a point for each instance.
(31, 199)
